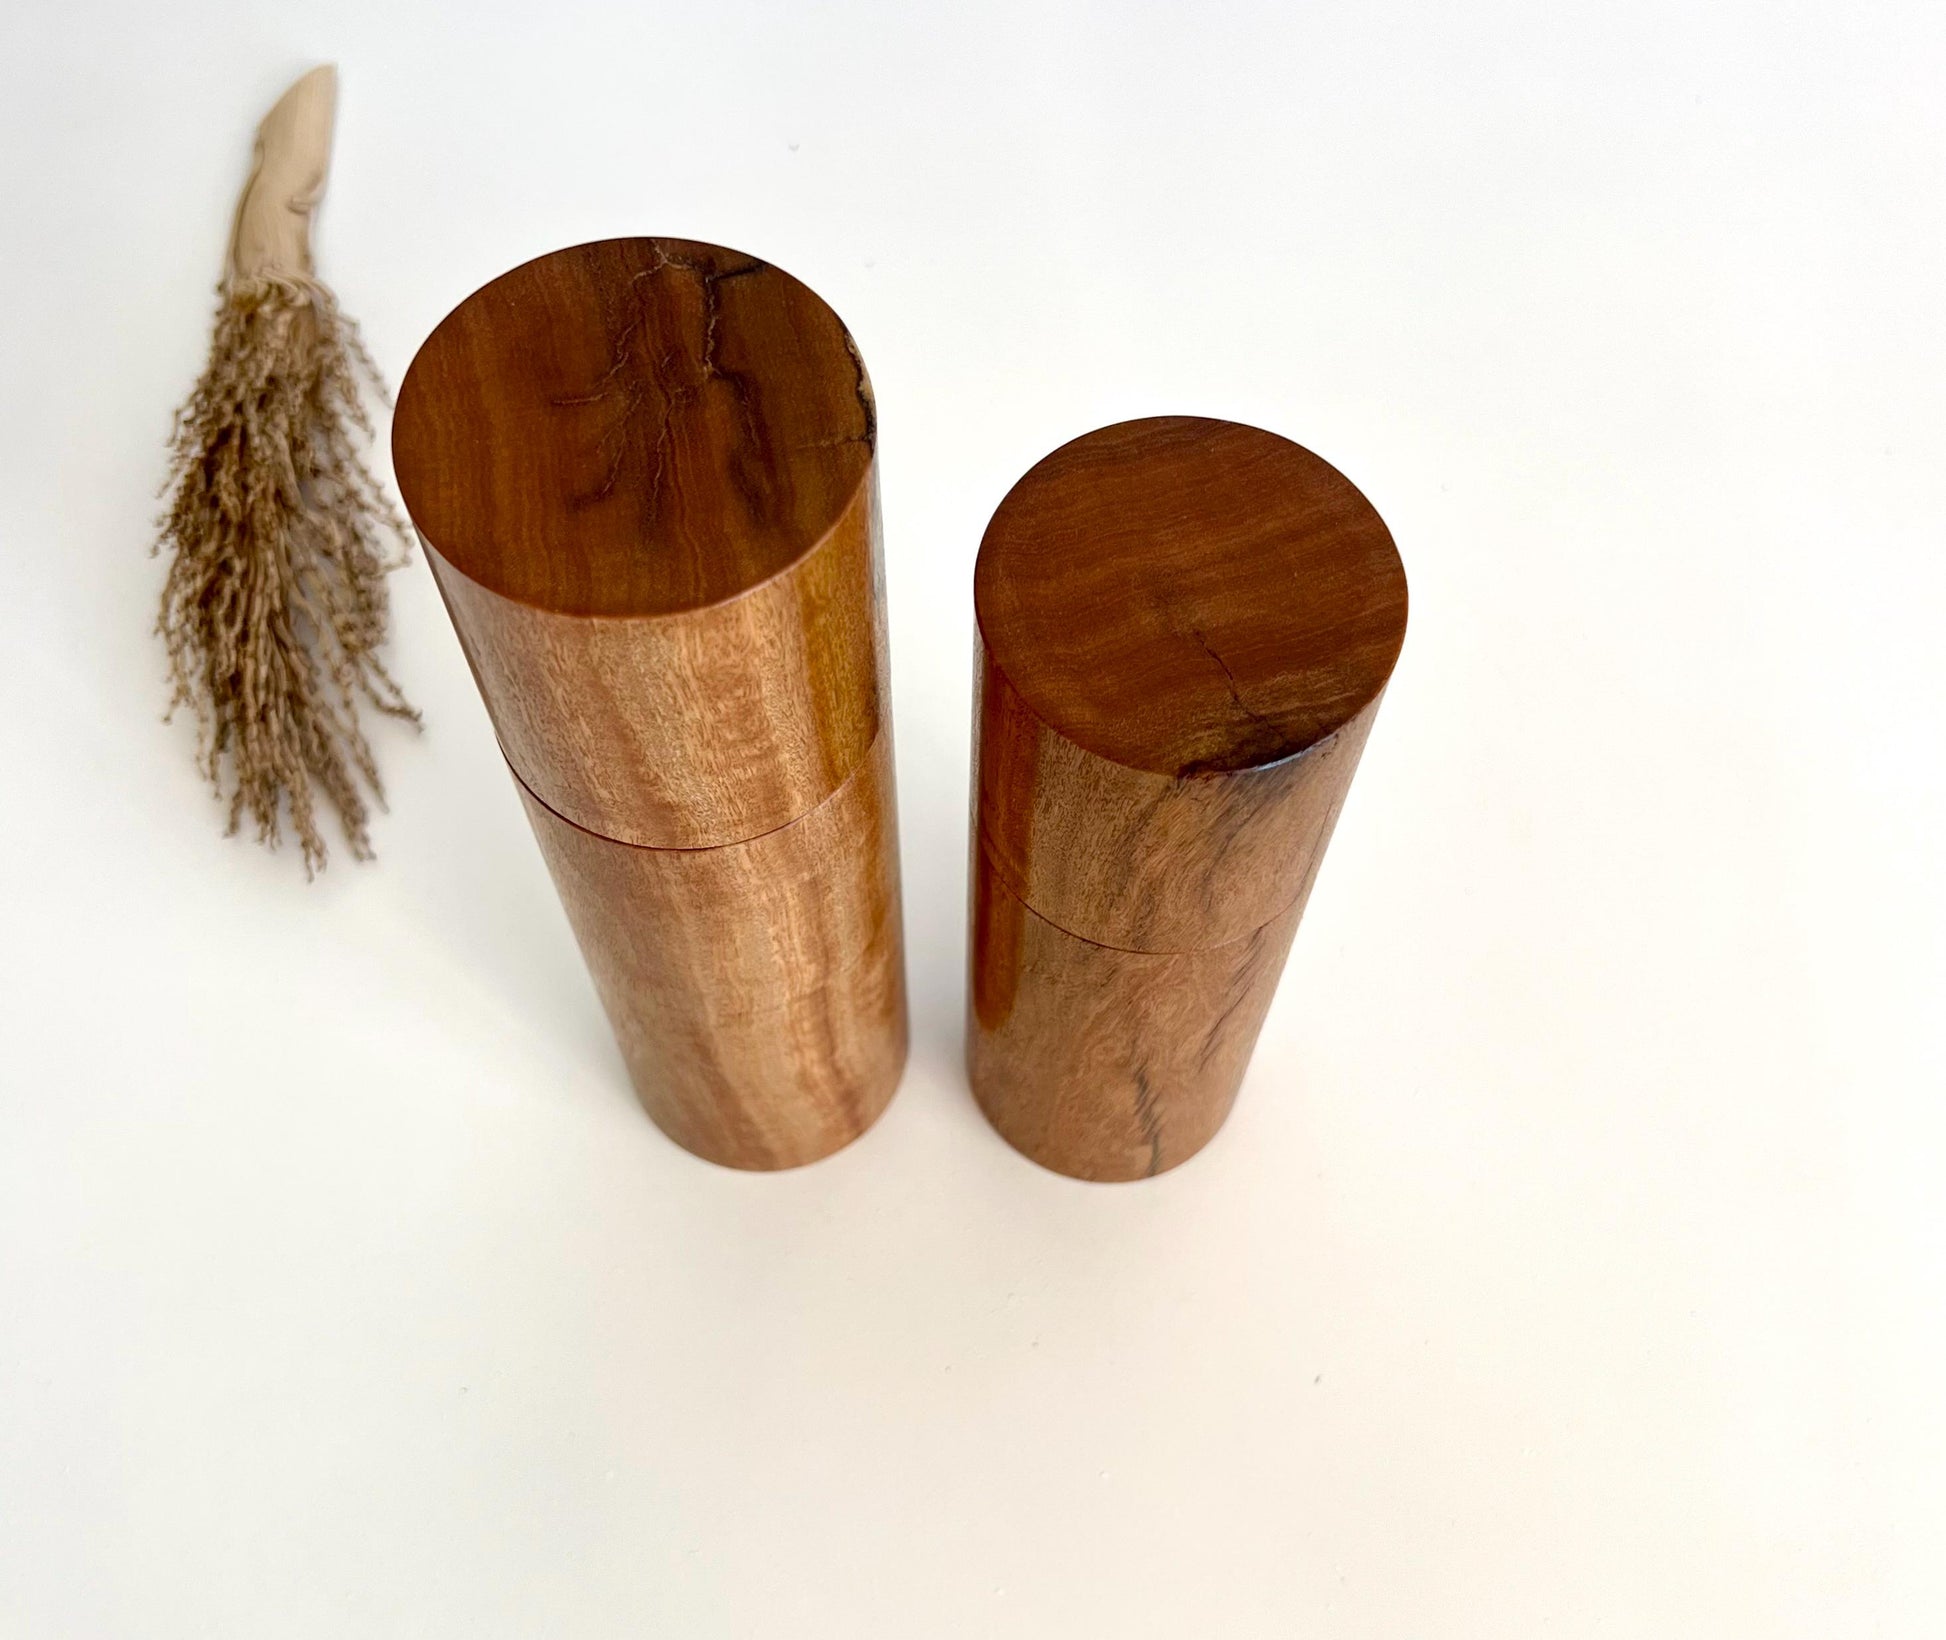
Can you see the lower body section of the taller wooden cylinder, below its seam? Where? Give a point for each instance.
(758, 991)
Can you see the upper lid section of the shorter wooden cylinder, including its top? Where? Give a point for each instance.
(1182, 620)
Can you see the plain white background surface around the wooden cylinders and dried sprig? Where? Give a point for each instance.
(1573, 1264)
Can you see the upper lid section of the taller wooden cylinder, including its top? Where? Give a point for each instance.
(645, 474)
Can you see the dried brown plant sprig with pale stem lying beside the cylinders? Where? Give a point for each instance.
(279, 536)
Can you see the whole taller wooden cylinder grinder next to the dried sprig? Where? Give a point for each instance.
(645, 478)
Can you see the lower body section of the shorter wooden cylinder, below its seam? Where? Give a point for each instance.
(1100, 1063)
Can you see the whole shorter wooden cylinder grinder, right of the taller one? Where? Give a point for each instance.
(1184, 635)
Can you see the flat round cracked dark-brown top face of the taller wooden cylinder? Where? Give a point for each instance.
(633, 427)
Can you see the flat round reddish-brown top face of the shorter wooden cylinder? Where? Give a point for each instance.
(1190, 596)
